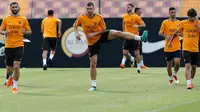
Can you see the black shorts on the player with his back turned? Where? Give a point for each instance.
(49, 43)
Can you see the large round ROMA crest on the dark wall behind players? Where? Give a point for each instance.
(73, 47)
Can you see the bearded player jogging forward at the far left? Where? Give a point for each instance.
(14, 27)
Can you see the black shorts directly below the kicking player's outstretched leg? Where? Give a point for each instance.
(131, 45)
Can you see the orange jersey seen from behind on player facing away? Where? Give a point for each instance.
(49, 27)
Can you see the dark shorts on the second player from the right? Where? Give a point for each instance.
(171, 55)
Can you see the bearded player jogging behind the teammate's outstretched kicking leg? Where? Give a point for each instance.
(131, 23)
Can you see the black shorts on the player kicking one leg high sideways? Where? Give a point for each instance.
(95, 48)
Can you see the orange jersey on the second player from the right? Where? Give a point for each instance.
(168, 28)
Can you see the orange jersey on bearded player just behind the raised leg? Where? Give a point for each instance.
(129, 21)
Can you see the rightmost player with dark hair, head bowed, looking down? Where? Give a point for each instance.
(190, 28)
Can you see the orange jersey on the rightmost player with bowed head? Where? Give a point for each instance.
(190, 36)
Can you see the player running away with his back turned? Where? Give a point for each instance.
(50, 34)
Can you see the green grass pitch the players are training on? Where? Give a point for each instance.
(66, 90)
